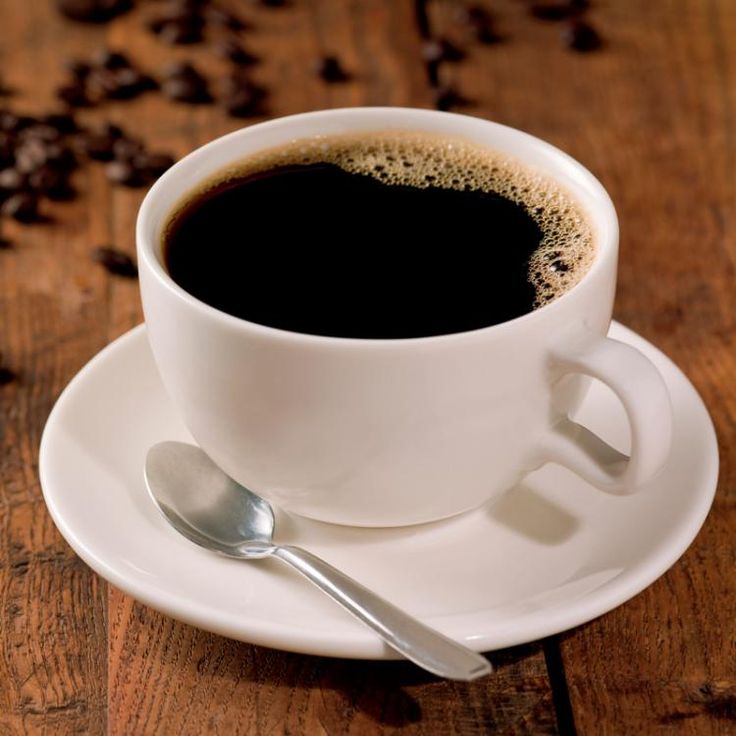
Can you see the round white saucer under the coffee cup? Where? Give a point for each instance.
(552, 554)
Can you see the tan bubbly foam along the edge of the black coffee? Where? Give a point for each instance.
(424, 160)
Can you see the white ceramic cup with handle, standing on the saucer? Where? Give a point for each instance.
(393, 432)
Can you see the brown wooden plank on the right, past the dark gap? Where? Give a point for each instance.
(652, 115)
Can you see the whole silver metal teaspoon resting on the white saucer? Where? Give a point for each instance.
(213, 511)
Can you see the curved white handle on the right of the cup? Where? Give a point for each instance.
(642, 391)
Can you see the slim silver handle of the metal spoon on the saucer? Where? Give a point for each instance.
(408, 636)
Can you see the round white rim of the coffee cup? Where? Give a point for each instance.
(606, 247)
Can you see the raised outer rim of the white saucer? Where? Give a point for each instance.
(532, 626)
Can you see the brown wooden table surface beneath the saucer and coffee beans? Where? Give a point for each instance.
(653, 114)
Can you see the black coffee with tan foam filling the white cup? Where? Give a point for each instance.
(386, 235)
